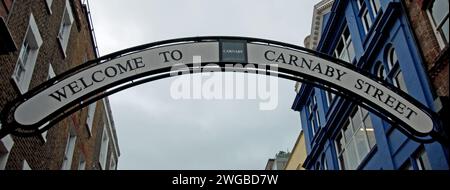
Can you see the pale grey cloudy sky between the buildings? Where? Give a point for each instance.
(155, 130)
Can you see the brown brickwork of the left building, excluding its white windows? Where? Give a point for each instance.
(40, 154)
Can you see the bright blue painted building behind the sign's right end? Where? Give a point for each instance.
(374, 35)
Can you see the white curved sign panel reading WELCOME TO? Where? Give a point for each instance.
(50, 100)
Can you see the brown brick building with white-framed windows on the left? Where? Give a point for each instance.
(41, 39)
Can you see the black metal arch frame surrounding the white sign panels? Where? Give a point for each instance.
(10, 126)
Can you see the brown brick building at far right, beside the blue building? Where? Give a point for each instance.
(430, 22)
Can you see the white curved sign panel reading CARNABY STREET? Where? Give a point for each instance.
(346, 78)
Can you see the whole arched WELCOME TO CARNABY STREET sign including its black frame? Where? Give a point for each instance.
(68, 92)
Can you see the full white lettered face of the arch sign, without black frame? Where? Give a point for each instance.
(71, 89)
